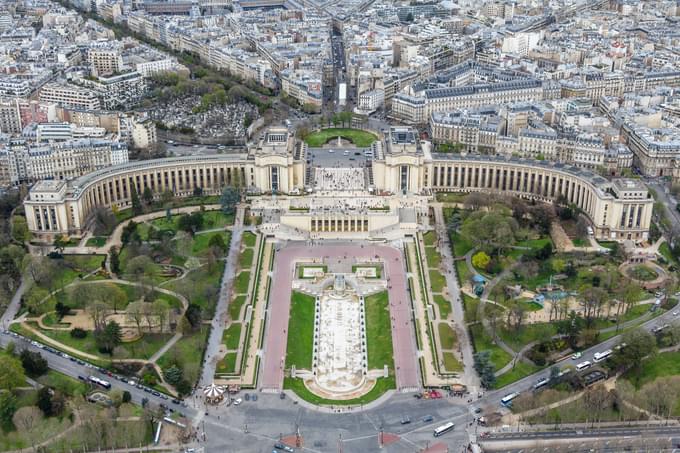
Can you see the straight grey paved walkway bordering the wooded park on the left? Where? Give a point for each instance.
(220, 319)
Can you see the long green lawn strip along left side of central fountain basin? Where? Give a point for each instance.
(301, 331)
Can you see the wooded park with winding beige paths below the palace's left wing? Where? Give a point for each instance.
(168, 275)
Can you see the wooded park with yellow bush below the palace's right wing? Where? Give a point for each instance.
(536, 292)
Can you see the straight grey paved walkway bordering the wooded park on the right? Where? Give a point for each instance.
(468, 376)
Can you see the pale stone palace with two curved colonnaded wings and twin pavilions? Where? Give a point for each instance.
(402, 166)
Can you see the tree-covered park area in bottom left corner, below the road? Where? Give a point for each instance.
(55, 417)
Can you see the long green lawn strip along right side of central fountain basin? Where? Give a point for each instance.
(378, 332)
